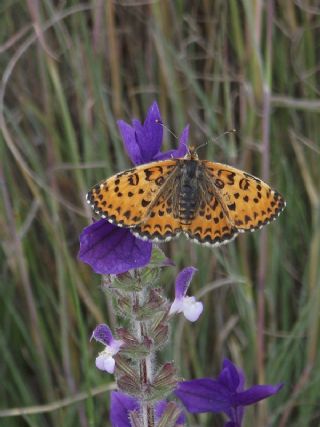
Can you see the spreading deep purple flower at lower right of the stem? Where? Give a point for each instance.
(225, 394)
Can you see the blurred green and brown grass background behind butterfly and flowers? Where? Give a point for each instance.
(69, 70)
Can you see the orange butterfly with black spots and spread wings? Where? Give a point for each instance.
(209, 202)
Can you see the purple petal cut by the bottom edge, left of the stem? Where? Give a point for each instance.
(121, 405)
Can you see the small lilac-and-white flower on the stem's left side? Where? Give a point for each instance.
(105, 360)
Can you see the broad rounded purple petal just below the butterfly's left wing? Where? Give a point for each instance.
(112, 250)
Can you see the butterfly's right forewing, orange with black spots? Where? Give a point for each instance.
(248, 202)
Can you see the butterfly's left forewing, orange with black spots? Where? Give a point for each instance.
(125, 198)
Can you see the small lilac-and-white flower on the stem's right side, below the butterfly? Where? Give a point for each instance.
(190, 308)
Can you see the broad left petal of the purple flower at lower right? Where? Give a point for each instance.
(203, 395)
